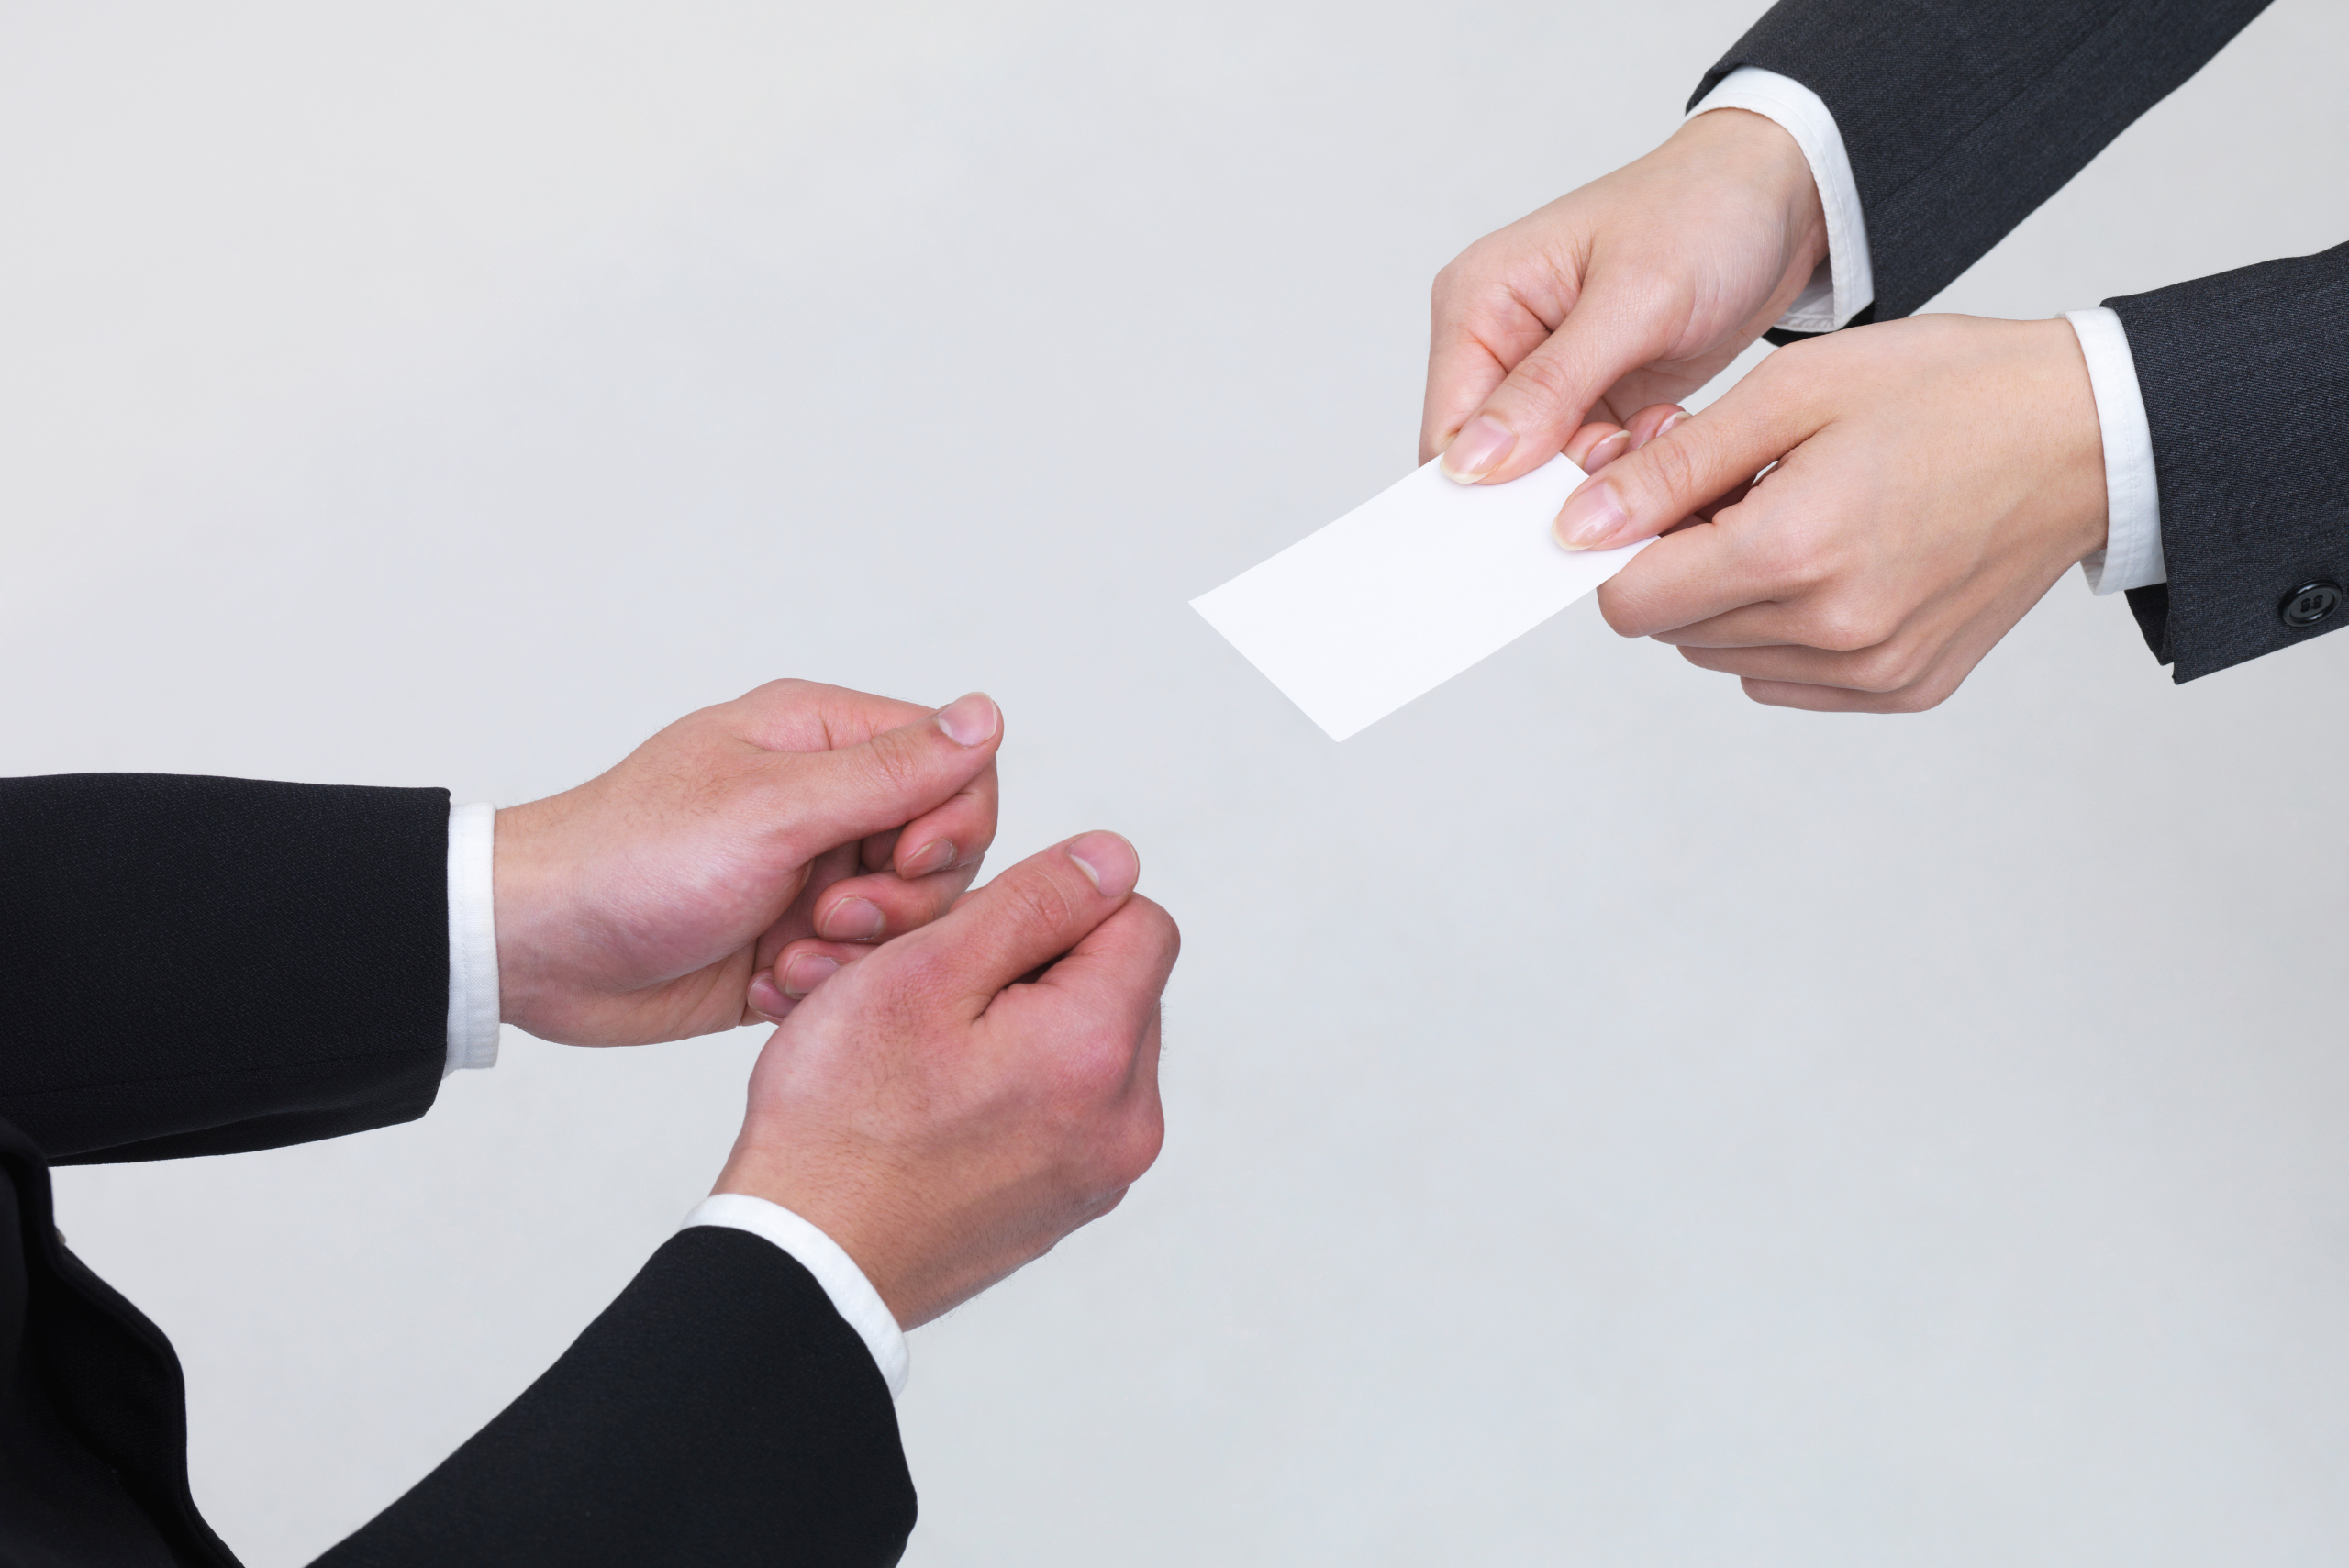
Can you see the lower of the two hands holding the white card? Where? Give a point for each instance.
(1934, 478)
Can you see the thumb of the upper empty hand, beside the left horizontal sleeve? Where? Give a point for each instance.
(894, 778)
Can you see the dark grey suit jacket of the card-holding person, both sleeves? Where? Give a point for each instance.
(1963, 119)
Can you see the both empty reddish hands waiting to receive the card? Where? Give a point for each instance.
(981, 1086)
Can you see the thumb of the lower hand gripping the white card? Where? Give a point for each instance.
(1692, 464)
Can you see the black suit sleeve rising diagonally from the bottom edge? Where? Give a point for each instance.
(720, 1414)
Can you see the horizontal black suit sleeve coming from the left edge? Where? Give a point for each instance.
(215, 966)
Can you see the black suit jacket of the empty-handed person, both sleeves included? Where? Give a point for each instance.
(220, 966)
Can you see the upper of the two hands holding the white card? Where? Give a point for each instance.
(1629, 292)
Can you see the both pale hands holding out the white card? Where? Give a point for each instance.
(1934, 478)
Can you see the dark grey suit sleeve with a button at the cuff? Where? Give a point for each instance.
(2247, 391)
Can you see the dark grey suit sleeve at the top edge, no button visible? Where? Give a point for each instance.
(1965, 116)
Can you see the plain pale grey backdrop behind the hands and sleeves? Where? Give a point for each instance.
(1610, 1123)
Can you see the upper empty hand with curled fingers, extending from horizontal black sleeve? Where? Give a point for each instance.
(640, 905)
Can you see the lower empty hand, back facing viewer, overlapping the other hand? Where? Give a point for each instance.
(969, 1095)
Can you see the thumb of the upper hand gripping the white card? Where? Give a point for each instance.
(1528, 419)
